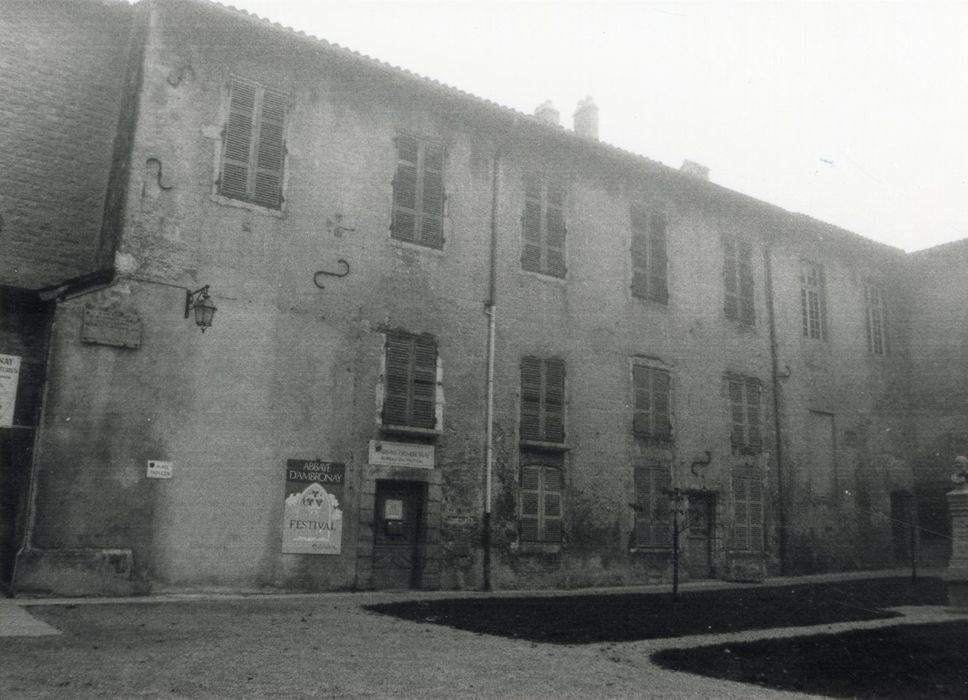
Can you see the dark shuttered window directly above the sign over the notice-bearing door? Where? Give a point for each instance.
(411, 381)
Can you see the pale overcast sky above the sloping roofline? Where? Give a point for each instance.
(854, 113)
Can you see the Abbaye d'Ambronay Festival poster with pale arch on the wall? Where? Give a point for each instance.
(313, 522)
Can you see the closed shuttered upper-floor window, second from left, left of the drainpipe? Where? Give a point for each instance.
(418, 192)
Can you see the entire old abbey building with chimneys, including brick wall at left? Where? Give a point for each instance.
(455, 345)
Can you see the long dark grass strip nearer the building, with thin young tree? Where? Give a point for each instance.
(620, 617)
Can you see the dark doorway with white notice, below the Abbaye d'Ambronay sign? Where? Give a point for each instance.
(398, 534)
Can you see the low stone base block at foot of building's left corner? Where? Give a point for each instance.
(75, 572)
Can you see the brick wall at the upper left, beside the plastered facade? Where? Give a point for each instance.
(61, 66)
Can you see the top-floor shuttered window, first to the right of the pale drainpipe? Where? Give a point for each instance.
(544, 227)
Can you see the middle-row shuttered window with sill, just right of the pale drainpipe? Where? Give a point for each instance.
(542, 400)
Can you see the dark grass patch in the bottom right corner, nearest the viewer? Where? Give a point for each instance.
(906, 661)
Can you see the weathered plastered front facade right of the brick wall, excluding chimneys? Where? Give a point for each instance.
(295, 365)
